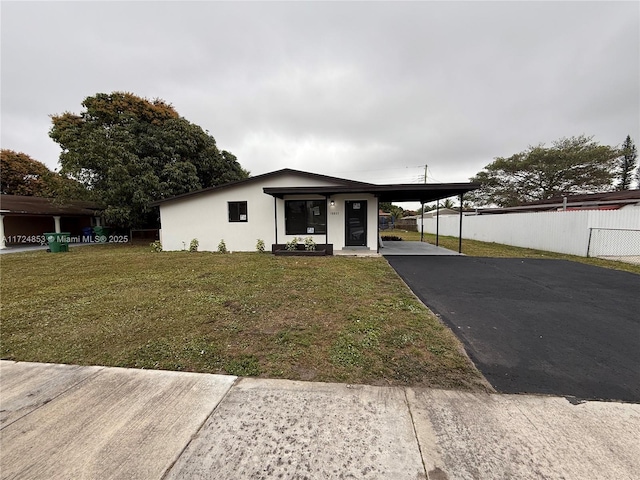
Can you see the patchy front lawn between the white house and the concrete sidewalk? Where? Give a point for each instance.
(331, 319)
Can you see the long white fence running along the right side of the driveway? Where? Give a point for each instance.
(562, 231)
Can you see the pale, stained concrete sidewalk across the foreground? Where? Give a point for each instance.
(64, 421)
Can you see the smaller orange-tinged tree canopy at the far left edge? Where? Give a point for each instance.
(22, 175)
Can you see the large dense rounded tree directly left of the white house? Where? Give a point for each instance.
(130, 151)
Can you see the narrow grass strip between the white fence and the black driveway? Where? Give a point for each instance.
(475, 248)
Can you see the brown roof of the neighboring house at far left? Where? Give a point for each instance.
(22, 205)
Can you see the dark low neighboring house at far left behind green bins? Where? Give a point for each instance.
(24, 220)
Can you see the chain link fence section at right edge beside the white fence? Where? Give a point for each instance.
(615, 244)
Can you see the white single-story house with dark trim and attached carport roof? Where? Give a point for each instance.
(277, 207)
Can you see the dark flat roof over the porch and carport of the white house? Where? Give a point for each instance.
(411, 192)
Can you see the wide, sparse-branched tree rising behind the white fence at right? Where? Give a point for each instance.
(569, 166)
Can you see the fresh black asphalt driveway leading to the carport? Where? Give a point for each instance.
(537, 325)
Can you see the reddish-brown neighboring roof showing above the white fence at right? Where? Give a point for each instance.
(589, 201)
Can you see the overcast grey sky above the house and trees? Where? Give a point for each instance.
(371, 91)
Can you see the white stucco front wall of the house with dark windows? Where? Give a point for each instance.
(205, 217)
